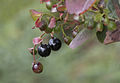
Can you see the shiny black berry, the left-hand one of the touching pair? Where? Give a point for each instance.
(44, 50)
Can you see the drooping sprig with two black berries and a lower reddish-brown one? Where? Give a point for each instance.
(44, 50)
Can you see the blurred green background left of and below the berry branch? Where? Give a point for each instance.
(92, 62)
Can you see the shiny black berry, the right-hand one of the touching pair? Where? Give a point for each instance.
(55, 44)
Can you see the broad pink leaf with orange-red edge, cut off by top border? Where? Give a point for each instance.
(78, 6)
